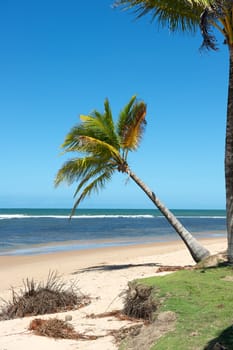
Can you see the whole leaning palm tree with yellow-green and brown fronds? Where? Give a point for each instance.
(105, 147)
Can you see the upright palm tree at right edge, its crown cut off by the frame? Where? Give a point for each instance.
(210, 17)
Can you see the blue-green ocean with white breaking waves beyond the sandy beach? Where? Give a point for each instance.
(40, 231)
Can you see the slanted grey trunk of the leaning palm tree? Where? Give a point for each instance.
(197, 251)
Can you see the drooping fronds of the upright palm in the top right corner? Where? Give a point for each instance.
(188, 16)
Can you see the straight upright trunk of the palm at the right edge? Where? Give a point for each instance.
(229, 161)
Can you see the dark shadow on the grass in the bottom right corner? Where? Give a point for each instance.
(223, 342)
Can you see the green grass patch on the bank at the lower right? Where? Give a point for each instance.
(203, 303)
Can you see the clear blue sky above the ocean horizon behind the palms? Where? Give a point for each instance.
(60, 59)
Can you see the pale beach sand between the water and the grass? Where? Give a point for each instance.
(102, 273)
